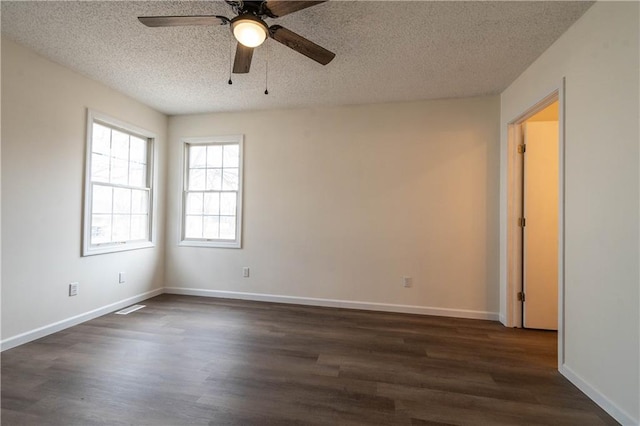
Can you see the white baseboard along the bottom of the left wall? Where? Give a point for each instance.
(40, 332)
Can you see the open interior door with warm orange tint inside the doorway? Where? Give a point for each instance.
(540, 274)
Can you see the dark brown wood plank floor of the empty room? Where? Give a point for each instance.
(191, 360)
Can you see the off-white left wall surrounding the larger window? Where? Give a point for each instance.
(43, 151)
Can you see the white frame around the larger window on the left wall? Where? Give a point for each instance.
(87, 248)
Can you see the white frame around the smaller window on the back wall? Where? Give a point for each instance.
(214, 243)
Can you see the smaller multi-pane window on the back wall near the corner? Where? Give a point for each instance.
(212, 197)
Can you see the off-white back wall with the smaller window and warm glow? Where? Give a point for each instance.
(340, 203)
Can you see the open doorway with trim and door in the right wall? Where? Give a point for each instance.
(521, 231)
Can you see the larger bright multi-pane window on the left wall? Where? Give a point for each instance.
(119, 192)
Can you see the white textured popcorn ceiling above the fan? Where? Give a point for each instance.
(385, 51)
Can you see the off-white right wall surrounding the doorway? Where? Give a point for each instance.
(598, 56)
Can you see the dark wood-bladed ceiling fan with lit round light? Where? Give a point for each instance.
(250, 29)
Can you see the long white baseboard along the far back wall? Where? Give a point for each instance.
(333, 303)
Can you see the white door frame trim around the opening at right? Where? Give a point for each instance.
(513, 317)
